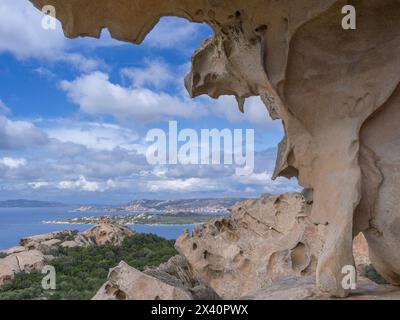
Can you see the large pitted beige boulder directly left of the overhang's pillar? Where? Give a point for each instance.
(260, 242)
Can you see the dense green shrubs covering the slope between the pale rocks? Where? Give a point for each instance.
(82, 271)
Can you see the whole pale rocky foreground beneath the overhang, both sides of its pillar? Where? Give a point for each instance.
(266, 249)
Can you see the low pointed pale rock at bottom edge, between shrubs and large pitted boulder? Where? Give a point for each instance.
(170, 281)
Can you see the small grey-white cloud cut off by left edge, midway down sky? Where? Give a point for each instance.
(19, 134)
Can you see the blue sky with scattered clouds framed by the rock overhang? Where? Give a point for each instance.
(74, 115)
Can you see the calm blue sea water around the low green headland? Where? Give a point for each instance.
(17, 223)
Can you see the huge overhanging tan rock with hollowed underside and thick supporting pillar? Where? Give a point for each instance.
(335, 90)
